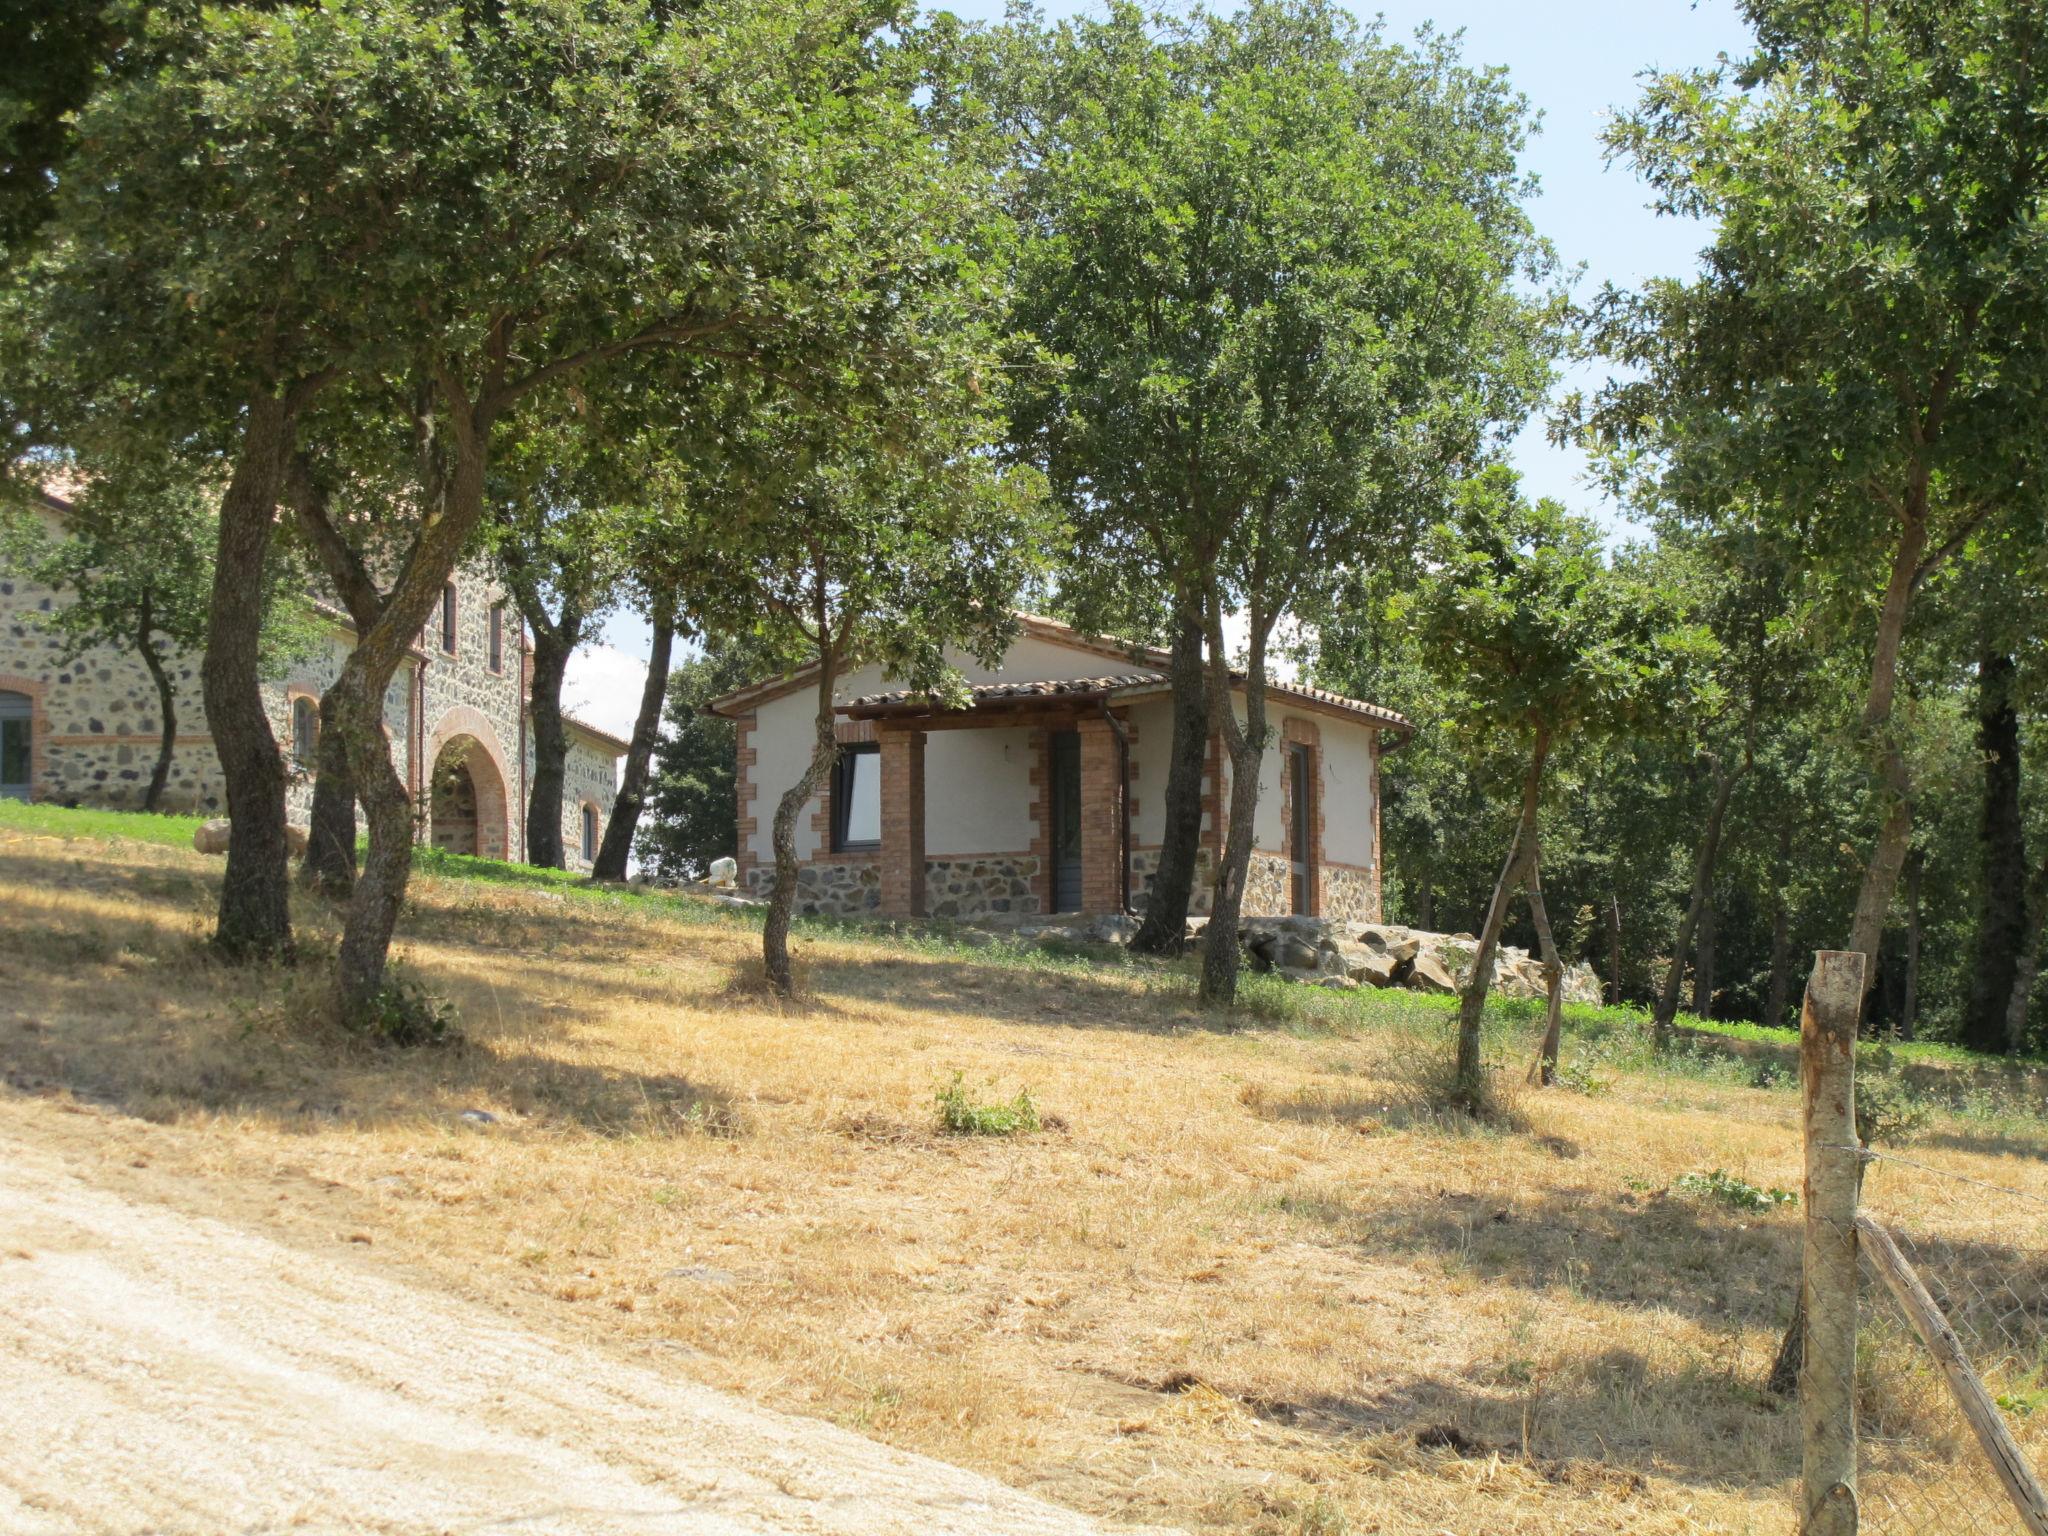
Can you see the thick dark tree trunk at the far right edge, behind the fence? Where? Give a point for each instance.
(2002, 855)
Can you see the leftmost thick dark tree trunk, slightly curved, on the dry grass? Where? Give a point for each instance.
(255, 916)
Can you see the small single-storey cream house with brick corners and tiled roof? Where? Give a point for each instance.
(1046, 794)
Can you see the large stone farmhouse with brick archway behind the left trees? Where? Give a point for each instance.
(87, 732)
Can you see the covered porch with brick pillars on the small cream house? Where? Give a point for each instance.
(1074, 779)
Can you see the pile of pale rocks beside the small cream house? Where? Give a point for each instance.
(1385, 955)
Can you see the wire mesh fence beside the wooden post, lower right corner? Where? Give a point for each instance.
(1981, 1256)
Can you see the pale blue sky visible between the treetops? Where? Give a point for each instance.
(1576, 60)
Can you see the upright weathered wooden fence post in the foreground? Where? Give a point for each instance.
(1828, 1273)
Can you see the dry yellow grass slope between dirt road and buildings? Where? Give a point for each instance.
(1234, 1289)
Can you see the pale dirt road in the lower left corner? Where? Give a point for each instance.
(169, 1373)
